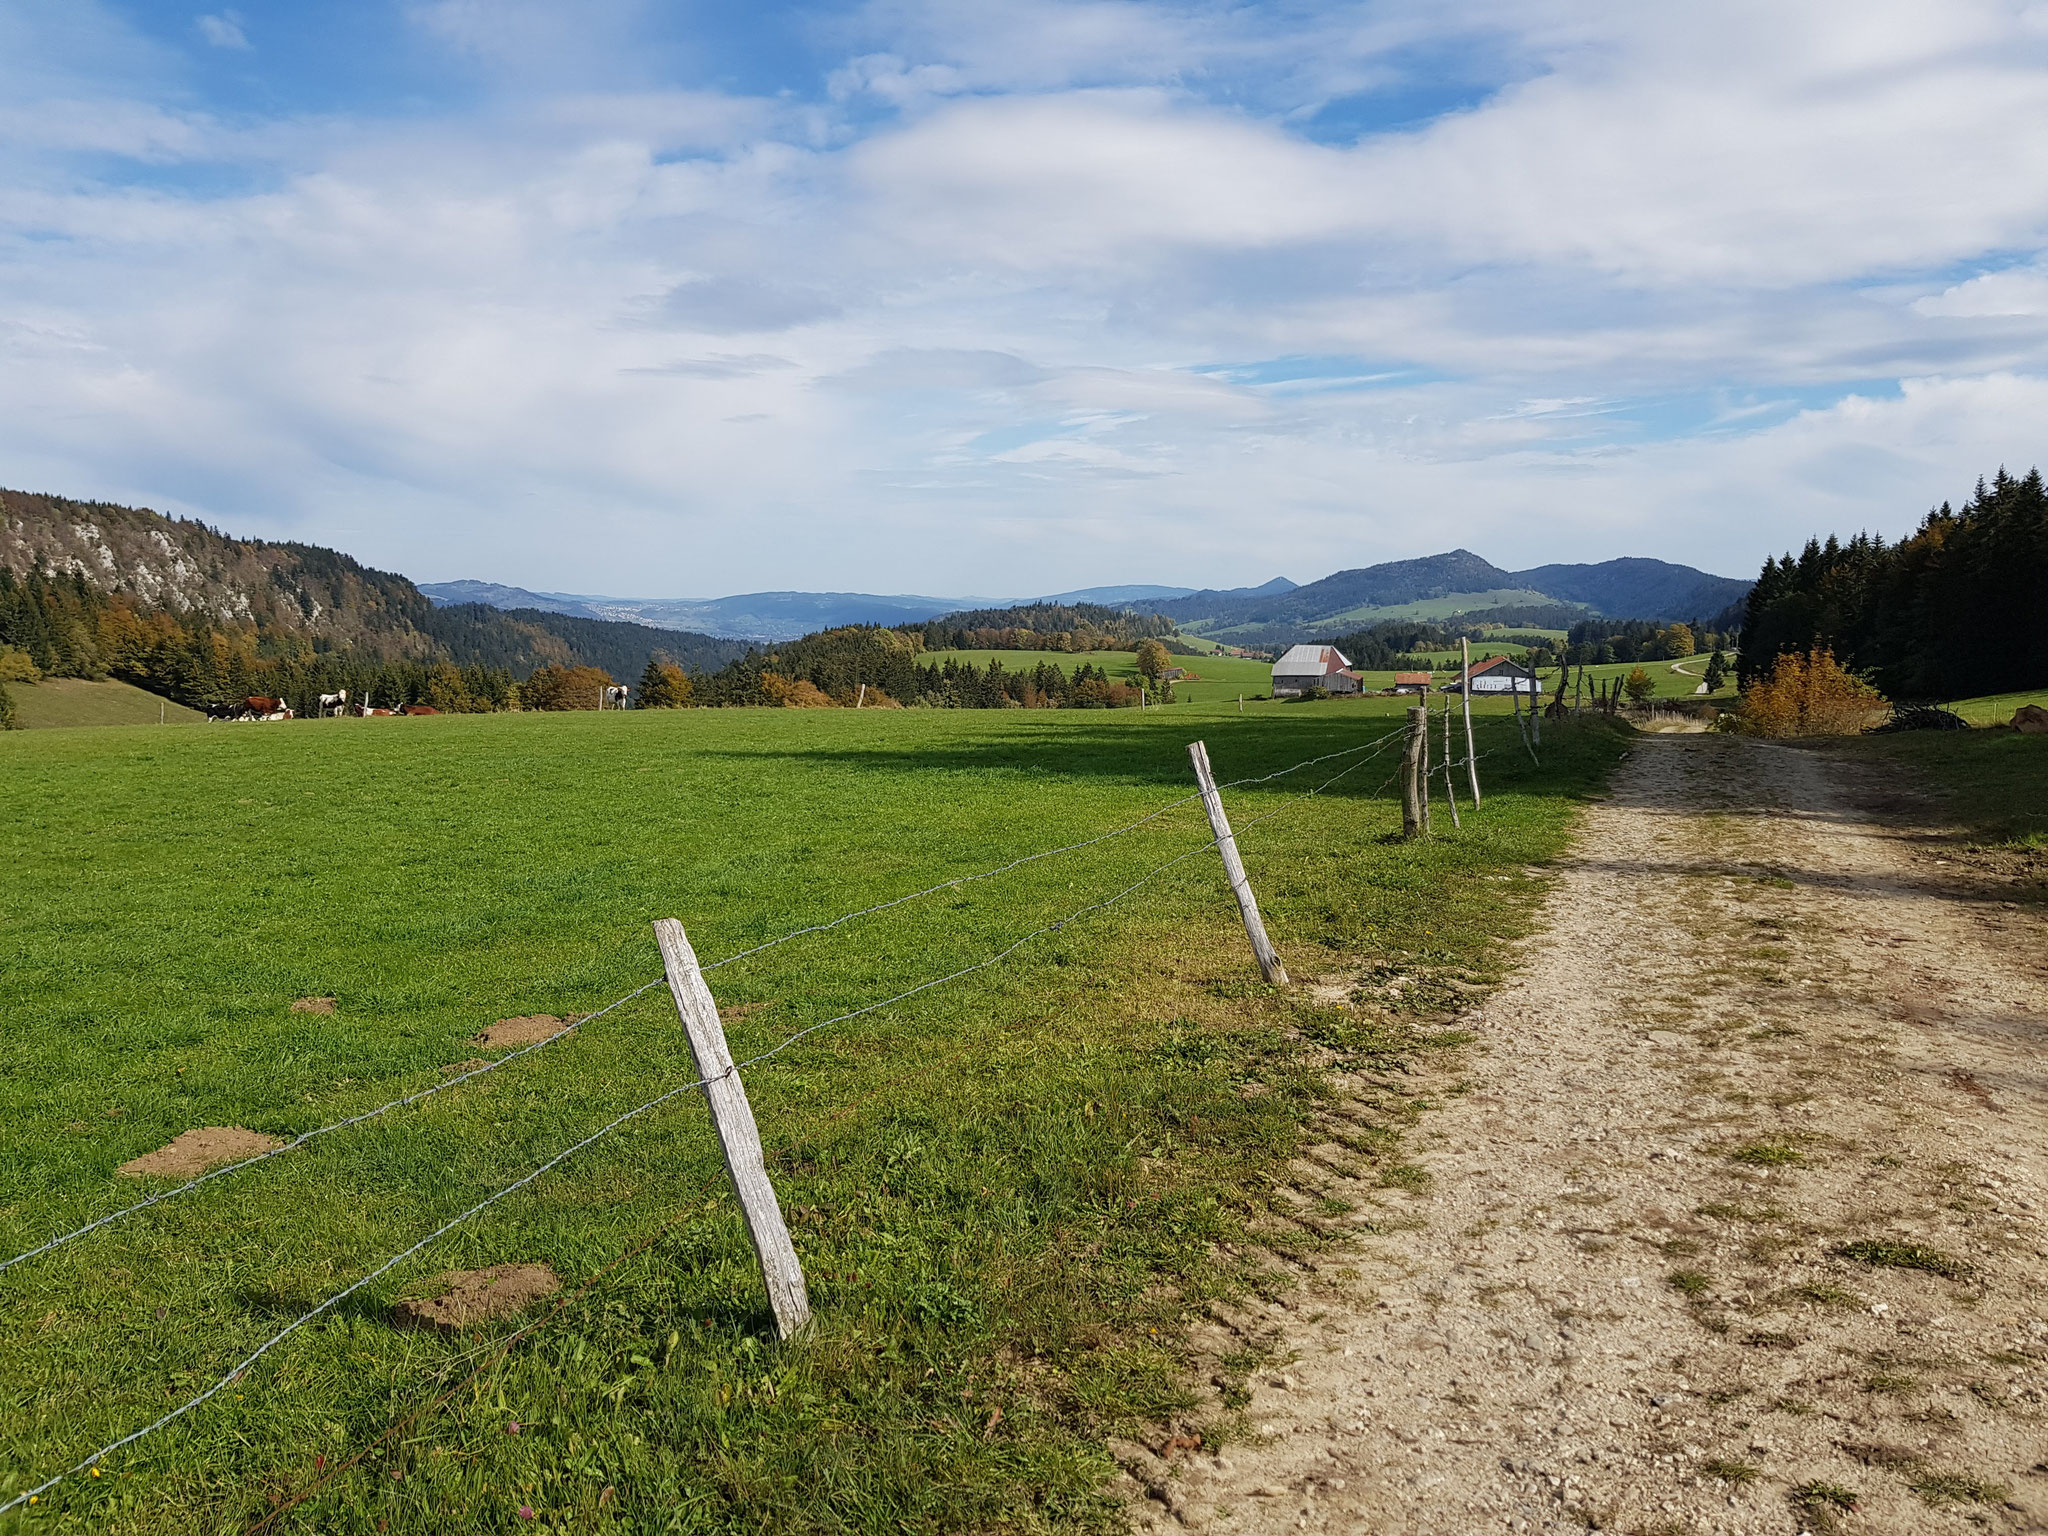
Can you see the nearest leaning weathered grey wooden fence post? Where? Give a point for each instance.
(738, 1136)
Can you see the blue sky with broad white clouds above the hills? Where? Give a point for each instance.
(1005, 298)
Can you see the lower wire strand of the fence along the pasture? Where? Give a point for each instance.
(480, 1207)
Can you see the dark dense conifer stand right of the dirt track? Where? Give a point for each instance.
(1953, 609)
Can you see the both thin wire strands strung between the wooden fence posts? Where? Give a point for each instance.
(1363, 755)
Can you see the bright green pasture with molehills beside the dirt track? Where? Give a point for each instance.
(1009, 1193)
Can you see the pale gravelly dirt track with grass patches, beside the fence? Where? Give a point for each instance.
(1756, 1033)
